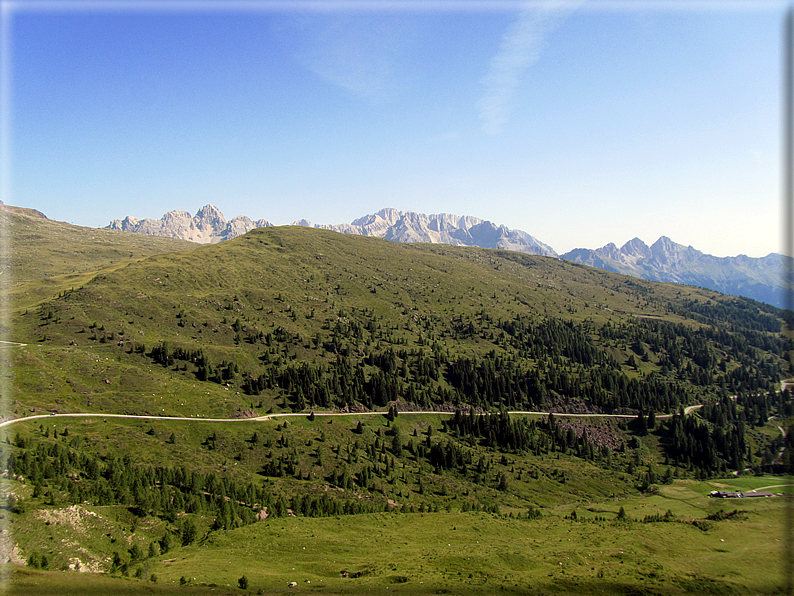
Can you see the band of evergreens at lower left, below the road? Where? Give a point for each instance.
(54, 467)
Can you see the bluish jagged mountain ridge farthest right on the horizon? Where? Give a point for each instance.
(665, 260)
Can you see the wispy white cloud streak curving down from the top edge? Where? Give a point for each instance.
(522, 45)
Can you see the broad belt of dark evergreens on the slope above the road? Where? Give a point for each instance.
(534, 359)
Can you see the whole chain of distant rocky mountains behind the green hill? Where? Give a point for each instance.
(664, 260)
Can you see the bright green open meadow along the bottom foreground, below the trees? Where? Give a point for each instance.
(477, 553)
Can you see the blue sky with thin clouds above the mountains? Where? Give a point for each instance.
(581, 123)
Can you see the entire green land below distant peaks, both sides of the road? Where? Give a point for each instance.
(452, 500)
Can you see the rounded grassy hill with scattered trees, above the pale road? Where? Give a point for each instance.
(296, 318)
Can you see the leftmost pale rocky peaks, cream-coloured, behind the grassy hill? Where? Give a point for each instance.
(208, 226)
